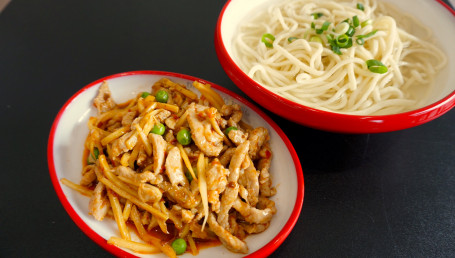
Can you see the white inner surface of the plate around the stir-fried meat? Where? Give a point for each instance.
(72, 131)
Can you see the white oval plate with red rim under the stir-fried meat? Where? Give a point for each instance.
(66, 144)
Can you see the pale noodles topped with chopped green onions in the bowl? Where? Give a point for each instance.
(352, 57)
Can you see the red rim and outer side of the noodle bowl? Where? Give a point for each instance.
(328, 121)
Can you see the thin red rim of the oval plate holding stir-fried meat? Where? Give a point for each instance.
(262, 252)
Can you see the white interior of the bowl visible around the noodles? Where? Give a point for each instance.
(429, 12)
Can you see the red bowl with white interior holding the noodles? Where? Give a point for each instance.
(235, 11)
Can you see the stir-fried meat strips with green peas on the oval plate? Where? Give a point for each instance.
(178, 170)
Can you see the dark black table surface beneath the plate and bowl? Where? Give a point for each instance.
(373, 195)
